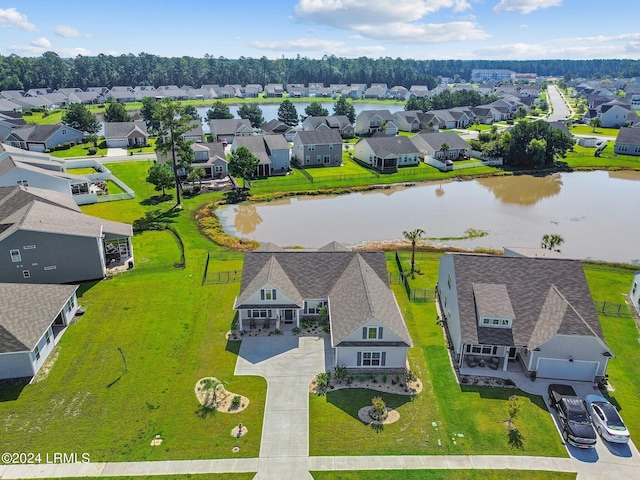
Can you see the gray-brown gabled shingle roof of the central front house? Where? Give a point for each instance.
(354, 282)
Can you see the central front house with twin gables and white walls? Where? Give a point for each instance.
(281, 288)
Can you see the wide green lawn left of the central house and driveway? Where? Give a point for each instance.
(171, 331)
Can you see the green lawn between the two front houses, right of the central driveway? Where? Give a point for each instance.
(432, 420)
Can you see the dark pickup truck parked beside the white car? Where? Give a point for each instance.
(574, 419)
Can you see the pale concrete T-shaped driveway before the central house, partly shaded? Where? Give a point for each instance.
(288, 363)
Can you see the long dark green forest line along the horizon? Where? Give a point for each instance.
(51, 71)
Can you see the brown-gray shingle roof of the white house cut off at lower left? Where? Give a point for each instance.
(27, 311)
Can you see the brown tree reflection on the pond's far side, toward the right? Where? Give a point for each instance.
(523, 189)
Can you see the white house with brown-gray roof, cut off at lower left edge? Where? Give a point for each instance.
(32, 321)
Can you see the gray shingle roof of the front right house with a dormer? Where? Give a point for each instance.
(548, 297)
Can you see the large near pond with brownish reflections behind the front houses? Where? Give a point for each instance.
(592, 211)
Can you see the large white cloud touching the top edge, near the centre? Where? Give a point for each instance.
(346, 13)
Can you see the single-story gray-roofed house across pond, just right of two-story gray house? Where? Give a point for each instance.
(386, 153)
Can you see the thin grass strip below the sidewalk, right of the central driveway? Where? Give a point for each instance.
(443, 475)
